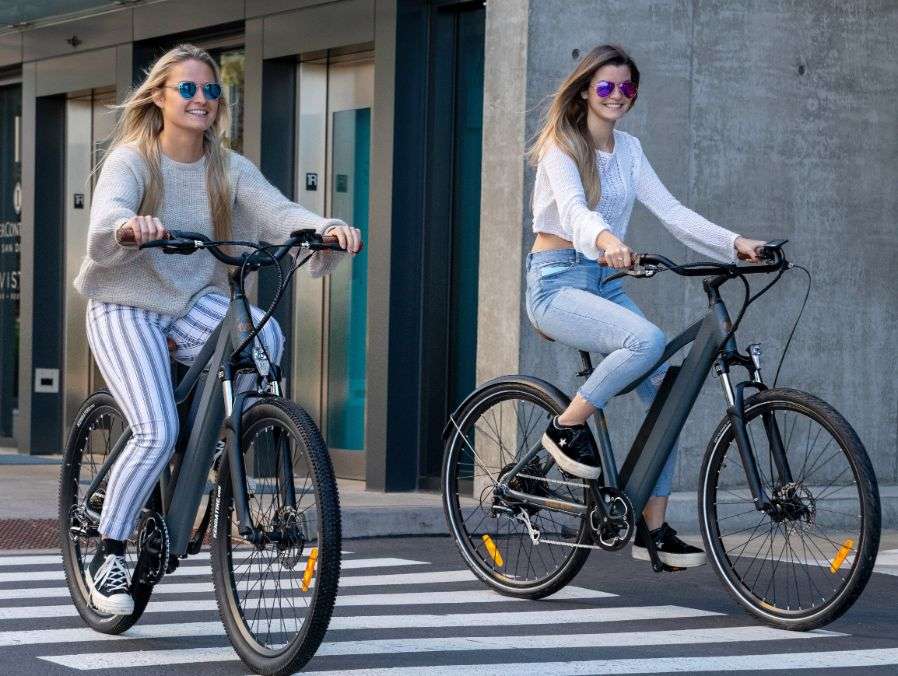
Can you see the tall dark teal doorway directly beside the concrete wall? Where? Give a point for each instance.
(452, 222)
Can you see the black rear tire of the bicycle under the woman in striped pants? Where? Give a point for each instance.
(97, 411)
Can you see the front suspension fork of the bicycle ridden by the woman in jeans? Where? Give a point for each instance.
(735, 397)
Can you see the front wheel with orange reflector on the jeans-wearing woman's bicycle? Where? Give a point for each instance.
(803, 563)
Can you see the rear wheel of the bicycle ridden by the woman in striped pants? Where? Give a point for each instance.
(99, 426)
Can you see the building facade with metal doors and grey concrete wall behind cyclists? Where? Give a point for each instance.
(410, 120)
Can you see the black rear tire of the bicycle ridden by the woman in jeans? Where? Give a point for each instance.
(553, 401)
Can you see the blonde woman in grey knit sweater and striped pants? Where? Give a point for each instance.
(168, 168)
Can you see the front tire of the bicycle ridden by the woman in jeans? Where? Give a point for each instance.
(781, 401)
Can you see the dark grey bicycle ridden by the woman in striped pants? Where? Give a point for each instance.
(272, 499)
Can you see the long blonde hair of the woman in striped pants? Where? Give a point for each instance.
(141, 122)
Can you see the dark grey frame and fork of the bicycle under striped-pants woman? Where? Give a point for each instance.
(214, 402)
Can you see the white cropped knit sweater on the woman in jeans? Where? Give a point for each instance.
(560, 207)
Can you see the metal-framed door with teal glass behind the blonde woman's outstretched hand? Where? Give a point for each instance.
(333, 171)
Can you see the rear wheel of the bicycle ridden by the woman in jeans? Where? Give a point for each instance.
(487, 436)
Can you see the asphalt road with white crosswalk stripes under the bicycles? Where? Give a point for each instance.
(431, 617)
